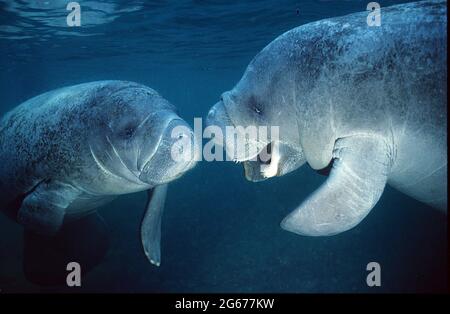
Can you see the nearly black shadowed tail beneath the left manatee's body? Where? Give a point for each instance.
(84, 241)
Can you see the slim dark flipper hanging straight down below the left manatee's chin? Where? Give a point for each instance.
(151, 224)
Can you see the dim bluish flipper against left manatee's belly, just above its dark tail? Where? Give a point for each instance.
(43, 209)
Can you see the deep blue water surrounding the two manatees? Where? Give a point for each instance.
(220, 233)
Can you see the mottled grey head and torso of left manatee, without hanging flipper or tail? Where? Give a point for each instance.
(66, 152)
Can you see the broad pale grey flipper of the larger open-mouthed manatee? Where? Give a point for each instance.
(355, 184)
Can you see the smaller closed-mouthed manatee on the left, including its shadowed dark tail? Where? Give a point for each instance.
(69, 151)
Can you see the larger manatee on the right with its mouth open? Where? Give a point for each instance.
(369, 104)
